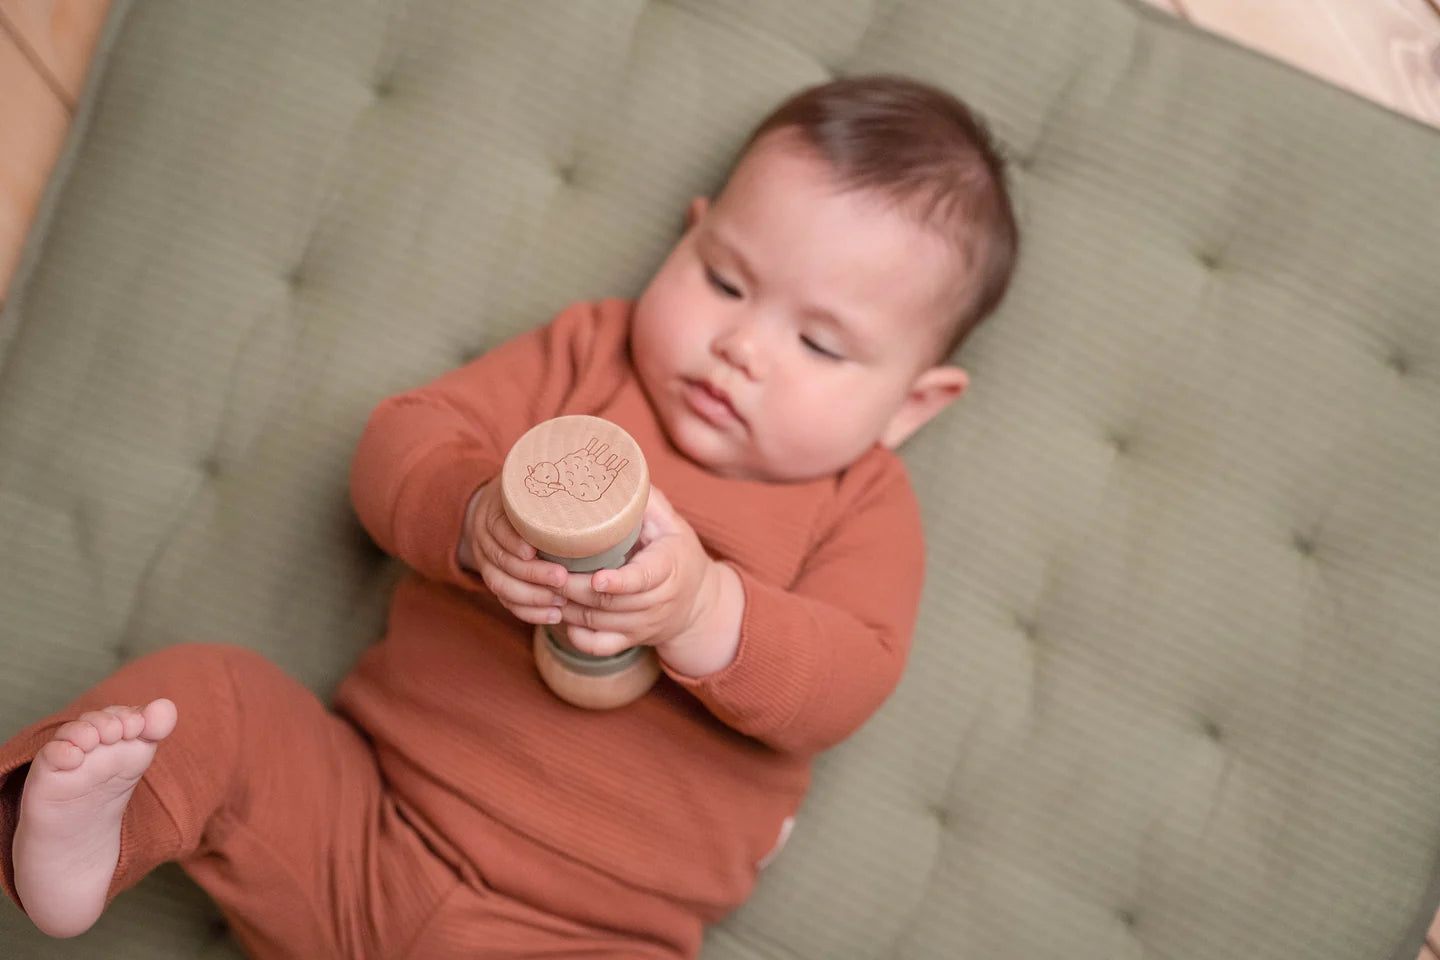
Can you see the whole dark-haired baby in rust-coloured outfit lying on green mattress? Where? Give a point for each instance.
(450, 805)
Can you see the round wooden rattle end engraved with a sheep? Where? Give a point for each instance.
(575, 489)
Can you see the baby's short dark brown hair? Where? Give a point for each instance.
(927, 150)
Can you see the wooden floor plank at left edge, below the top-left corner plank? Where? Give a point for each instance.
(34, 123)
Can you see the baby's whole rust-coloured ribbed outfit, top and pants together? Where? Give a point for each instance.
(454, 807)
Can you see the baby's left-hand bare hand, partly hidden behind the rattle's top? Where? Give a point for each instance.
(492, 548)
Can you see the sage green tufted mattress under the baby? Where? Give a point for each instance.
(1176, 689)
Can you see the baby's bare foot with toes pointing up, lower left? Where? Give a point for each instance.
(67, 843)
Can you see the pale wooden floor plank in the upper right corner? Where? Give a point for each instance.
(1385, 50)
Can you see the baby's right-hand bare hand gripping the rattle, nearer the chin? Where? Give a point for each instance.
(654, 599)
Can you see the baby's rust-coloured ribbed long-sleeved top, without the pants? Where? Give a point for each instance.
(682, 794)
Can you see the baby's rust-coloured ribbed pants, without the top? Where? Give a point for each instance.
(277, 808)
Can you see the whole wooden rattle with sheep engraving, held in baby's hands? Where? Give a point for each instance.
(575, 489)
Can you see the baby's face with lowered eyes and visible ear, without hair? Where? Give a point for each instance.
(794, 323)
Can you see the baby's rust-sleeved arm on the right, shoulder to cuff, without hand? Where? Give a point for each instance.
(816, 661)
